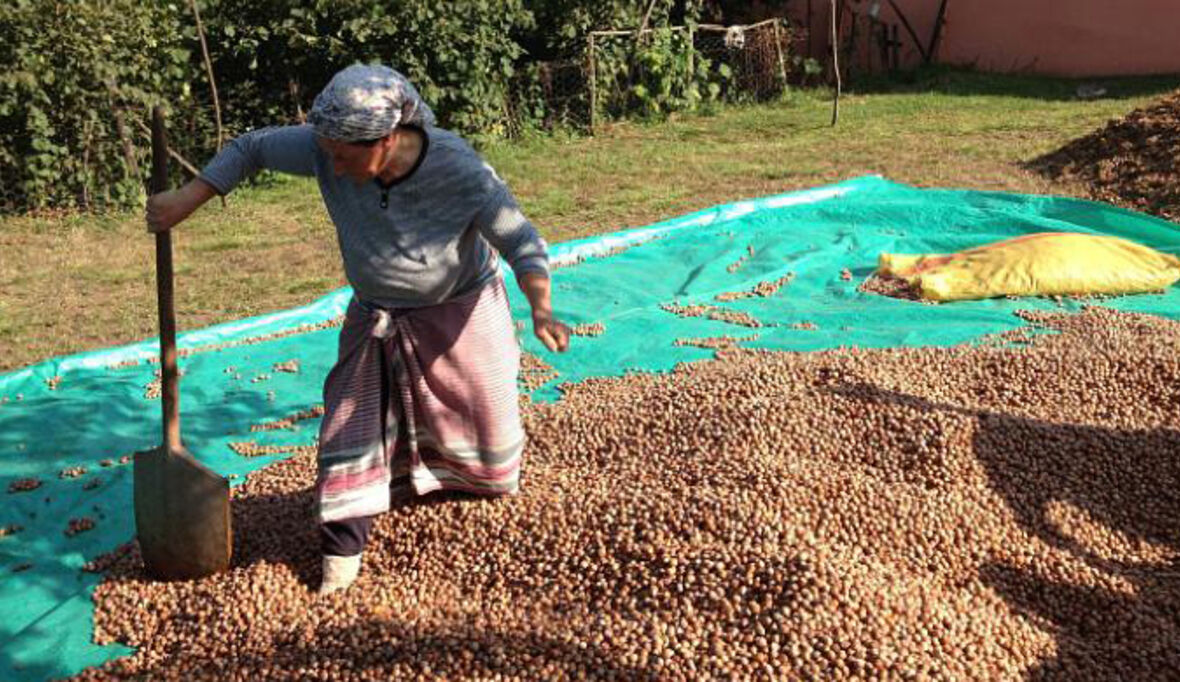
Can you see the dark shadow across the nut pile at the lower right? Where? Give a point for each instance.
(1100, 634)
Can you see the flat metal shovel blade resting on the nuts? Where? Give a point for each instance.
(182, 516)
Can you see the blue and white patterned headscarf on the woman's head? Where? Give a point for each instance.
(368, 102)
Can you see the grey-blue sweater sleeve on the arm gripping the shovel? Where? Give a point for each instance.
(289, 149)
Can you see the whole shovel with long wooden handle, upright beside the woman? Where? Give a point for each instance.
(182, 508)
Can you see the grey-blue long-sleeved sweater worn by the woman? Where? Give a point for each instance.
(429, 238)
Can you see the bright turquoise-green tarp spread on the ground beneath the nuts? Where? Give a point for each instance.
(78, 411)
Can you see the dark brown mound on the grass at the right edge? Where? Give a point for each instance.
(1132, 162)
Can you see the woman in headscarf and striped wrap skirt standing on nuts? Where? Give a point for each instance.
(423, 396)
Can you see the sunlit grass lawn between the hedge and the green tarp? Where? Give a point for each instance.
(78, 284)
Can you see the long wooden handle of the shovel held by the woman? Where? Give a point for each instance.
(172, 386)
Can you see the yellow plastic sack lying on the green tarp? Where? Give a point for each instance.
(1041, 265)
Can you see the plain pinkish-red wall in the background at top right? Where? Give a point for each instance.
(1054, 37)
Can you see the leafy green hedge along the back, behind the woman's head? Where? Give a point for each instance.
(83, 75)
